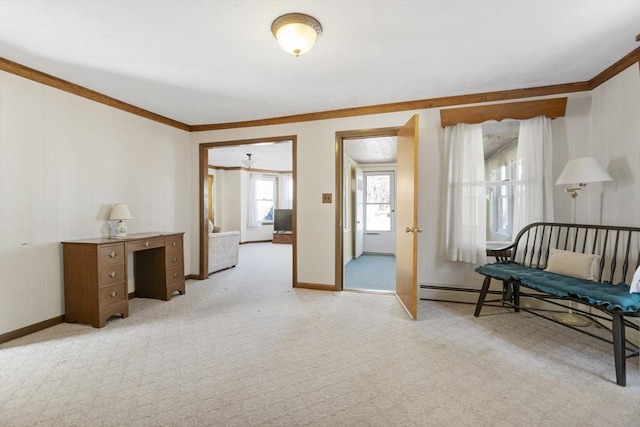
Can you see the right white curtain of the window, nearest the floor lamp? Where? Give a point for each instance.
(533, 194)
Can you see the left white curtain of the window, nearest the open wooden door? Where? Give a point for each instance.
(465, 216)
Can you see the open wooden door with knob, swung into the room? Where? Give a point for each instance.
(407, 227)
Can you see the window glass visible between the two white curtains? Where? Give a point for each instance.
(500, 174)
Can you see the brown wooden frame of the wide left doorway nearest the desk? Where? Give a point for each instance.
(204, 194)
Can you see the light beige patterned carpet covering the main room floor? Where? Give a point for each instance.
(243, 348)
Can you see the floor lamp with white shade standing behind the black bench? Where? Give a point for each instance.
(579, 171)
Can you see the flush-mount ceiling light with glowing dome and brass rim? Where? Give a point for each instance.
(296, 32)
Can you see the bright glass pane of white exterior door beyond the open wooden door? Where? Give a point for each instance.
(378, 201)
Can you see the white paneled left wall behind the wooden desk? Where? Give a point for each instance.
(63, 161)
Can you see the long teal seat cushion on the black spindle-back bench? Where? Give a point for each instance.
(605, 295)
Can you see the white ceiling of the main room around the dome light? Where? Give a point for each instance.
(205, 62)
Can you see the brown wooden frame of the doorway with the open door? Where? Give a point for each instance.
(339, 202)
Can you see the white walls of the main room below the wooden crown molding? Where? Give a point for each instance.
(64, 160)
